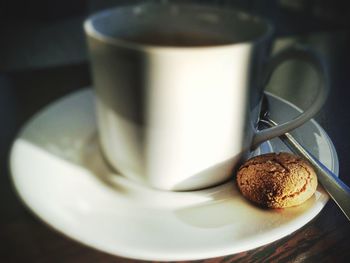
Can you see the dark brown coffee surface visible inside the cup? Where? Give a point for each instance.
(179, 39)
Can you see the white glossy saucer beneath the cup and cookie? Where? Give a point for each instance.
(60, 175)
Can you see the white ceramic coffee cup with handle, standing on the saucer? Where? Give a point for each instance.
(179, 89)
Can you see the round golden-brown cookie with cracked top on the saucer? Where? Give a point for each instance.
(277, 180)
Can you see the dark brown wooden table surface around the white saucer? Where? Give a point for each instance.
(24, 238)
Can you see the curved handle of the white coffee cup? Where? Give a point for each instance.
(306, 55)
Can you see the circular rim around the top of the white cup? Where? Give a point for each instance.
(91, 31)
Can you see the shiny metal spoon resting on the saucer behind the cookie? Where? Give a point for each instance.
(335, 187)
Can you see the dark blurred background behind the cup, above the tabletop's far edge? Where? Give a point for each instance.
(39, 33)
